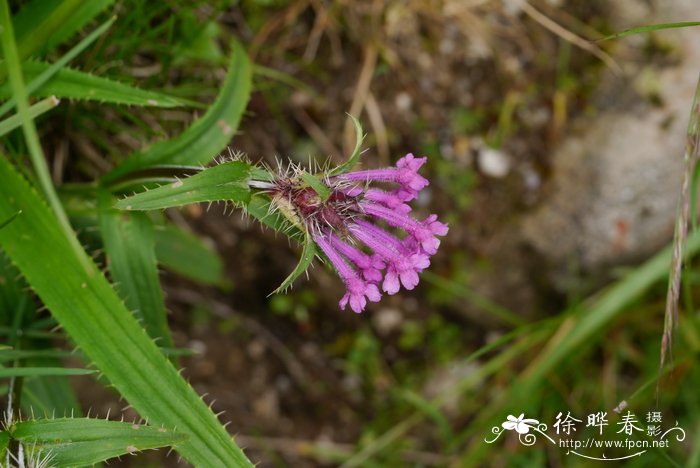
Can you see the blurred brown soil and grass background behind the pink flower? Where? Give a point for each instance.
(488, 90)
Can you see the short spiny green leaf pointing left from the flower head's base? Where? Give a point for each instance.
(226, 182)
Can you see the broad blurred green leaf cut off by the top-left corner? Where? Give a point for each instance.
(41, 25)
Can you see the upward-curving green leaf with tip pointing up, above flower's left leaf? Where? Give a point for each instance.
(206, 137)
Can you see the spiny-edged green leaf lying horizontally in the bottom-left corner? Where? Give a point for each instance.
(84, 441)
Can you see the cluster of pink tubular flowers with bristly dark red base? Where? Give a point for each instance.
(344, 223)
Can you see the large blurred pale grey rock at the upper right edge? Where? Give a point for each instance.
(615, 184)
